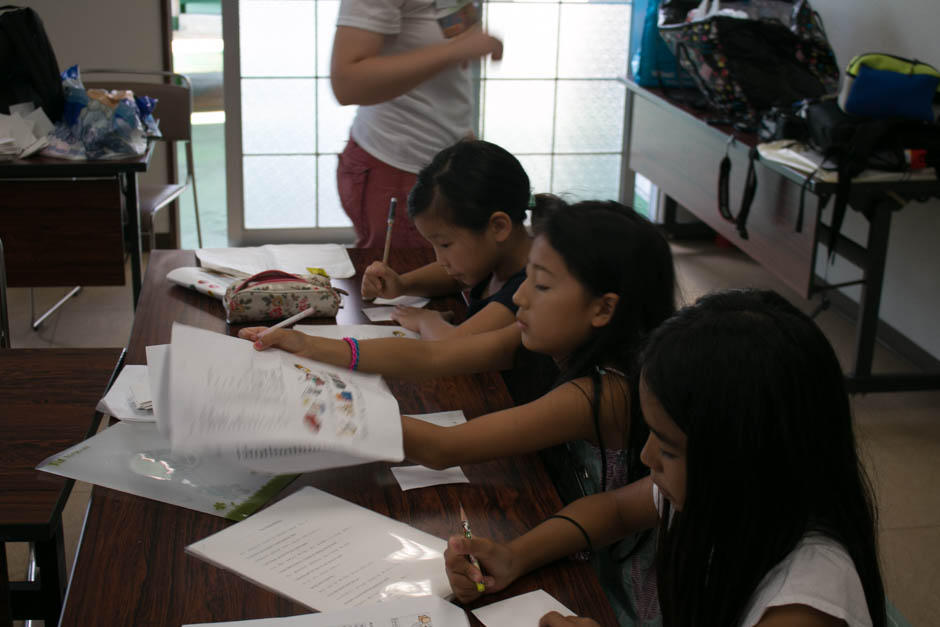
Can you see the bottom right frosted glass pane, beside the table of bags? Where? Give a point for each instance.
(587, 177)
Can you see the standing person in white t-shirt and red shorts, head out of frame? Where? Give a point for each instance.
(413, 88)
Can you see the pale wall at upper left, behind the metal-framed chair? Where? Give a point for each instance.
(106, 33)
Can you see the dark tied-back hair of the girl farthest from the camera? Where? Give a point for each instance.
(466, 183)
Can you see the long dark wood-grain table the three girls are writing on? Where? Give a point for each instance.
(131, 568)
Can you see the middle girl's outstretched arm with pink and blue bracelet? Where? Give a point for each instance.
(402, 358)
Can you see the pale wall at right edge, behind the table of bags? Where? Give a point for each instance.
(910, 301)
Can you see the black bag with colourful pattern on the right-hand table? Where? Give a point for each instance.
(749, 56)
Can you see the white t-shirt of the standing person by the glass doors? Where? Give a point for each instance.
(406, 132)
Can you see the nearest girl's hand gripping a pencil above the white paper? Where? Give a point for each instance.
(495, 559)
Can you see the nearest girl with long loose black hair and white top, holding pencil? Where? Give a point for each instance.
(763, 511)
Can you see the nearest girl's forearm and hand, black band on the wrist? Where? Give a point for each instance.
(604, 517)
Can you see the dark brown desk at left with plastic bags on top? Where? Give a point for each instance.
(69, 222)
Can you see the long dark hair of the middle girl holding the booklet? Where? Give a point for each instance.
(608, 247)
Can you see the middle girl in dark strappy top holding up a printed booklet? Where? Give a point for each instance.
(599, 278)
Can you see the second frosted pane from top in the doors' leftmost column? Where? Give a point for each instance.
(278, 116)
